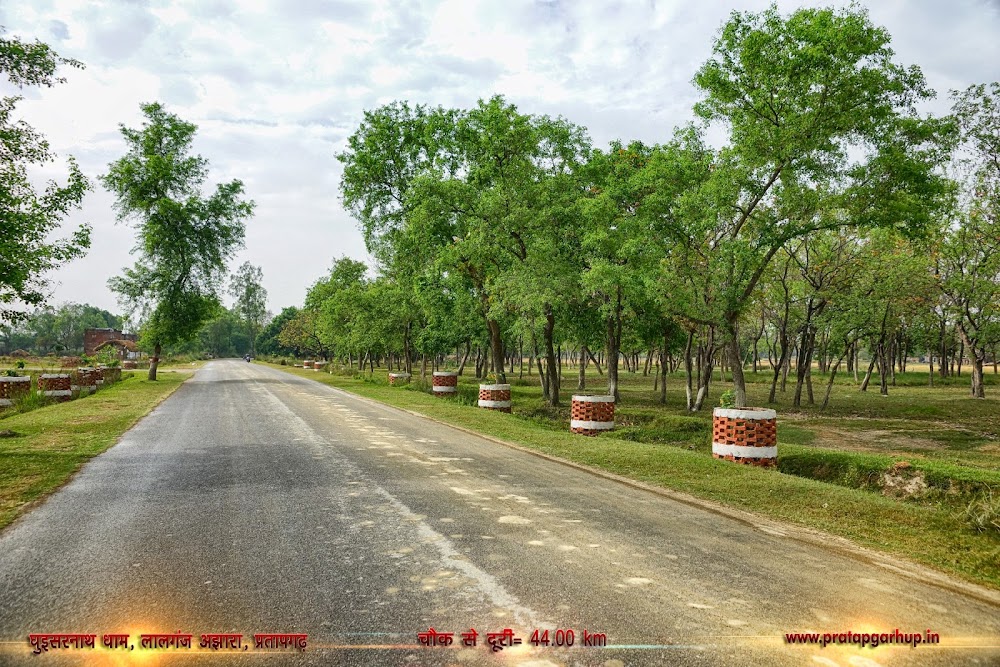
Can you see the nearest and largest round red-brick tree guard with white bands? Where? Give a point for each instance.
(745, 435)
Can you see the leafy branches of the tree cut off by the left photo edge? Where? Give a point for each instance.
(29, 217)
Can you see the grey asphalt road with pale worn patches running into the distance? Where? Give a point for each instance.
(254, 501)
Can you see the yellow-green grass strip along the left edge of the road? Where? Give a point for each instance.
(52, 442)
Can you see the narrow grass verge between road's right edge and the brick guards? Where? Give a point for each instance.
(932, 530)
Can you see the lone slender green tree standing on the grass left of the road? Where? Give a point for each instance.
(184, 239)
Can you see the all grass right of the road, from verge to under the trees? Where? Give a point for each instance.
(830, 489)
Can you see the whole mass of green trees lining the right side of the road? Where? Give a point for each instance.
(834, 220)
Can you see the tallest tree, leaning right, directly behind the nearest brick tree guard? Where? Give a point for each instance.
(823, 135)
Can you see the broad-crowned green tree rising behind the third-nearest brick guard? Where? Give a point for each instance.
(461, 191)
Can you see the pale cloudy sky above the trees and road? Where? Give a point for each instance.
(277, 86)
